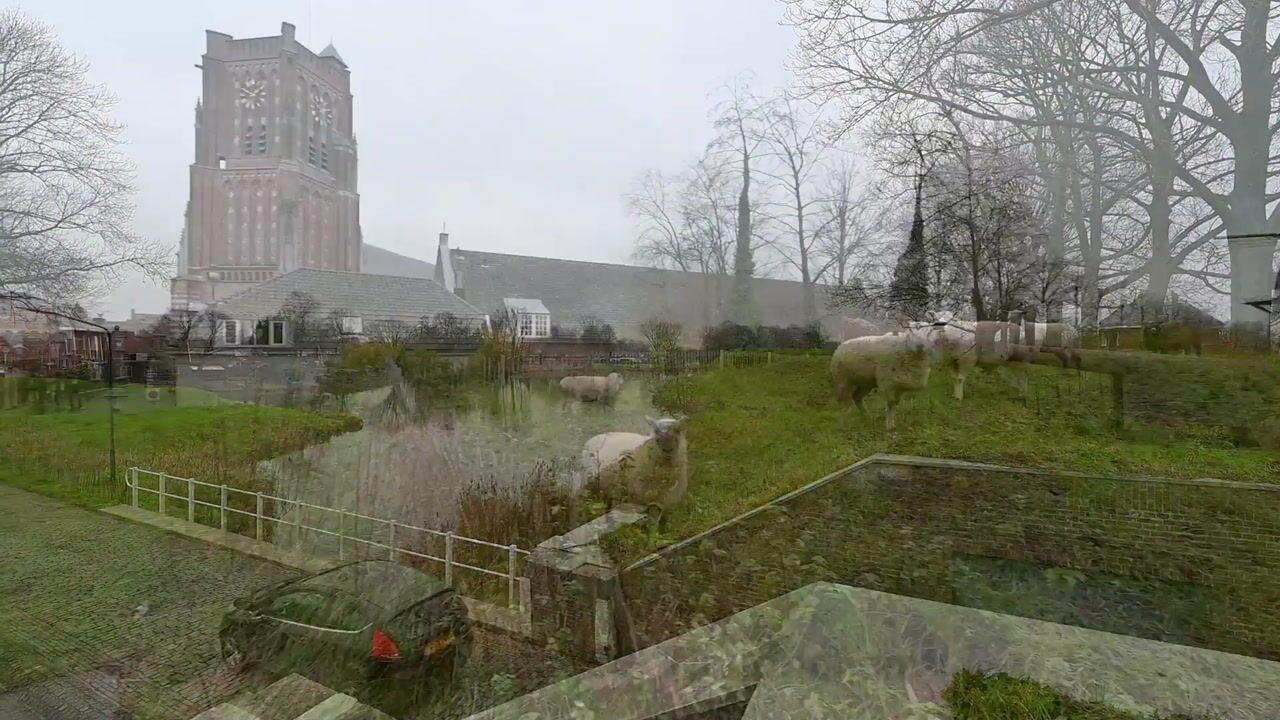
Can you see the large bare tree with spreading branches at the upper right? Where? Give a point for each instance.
(1190, 88)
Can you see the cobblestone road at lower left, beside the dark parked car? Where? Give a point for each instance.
(98, 613)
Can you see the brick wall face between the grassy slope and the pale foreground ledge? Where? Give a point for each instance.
(1188, 562)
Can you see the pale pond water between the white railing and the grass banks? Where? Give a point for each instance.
(414, 458)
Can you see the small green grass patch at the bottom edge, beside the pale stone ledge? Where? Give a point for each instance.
(977, 696)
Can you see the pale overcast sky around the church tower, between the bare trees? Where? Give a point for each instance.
(519, 124)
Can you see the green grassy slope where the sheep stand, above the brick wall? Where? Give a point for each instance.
(756, 434)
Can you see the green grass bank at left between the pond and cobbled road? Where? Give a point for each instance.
(58, 454)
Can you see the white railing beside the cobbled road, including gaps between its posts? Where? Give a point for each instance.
(476, 567)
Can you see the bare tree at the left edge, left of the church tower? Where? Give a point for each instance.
(65, 186)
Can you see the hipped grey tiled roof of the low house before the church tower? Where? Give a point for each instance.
(373, 298)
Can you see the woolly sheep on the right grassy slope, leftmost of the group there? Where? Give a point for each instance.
(894, 364)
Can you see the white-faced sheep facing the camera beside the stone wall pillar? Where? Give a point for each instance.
(651, 471)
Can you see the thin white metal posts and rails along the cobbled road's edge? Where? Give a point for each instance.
(346, 532)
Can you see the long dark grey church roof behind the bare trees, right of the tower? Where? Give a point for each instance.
(623, 297)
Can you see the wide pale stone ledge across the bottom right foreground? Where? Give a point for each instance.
(830, 651)
